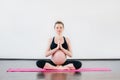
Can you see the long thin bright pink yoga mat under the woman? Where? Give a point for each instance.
(53, 70)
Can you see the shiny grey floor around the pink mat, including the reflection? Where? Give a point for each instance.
(114, 65)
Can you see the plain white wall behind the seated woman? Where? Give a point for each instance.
(93, 27)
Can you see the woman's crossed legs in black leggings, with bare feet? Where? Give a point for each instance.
(69, 64)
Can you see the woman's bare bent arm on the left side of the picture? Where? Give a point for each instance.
(48, 50)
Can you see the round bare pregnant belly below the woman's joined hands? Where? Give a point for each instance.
(59, 57)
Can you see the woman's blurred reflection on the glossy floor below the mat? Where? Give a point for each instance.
(57, 75)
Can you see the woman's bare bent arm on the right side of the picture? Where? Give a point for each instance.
(69, 51)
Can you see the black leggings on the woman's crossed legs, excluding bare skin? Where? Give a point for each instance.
(76, 64)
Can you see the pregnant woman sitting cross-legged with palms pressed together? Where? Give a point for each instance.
(59, 48)
